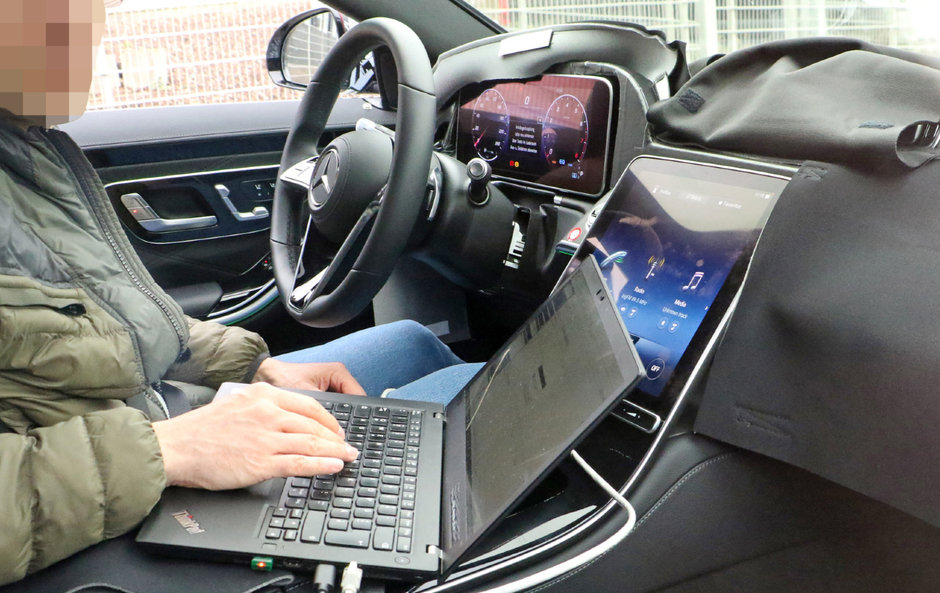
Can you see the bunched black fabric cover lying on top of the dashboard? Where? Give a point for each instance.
(830, 99)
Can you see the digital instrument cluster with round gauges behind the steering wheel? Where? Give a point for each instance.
(552, 131)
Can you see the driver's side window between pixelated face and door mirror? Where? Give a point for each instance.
(182, 52)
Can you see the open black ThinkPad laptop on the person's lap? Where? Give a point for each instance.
(431, 480)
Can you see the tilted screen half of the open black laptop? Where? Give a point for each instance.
(529, 405)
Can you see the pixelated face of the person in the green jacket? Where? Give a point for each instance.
(47, 49)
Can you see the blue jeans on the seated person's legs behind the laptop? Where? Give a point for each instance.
(404, 356)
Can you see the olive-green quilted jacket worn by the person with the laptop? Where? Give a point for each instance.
(83, 329)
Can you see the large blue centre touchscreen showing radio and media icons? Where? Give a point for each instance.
(667, 242)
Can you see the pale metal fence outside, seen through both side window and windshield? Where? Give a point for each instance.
(171, 52)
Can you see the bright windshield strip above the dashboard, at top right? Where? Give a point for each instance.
(720, 26)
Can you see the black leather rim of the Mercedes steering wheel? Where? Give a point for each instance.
(403, 195)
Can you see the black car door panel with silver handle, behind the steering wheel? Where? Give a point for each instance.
(193, 187)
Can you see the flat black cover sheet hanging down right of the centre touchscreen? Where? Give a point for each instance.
(832, 359)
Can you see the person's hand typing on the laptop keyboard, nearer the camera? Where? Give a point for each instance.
(255, 434)
